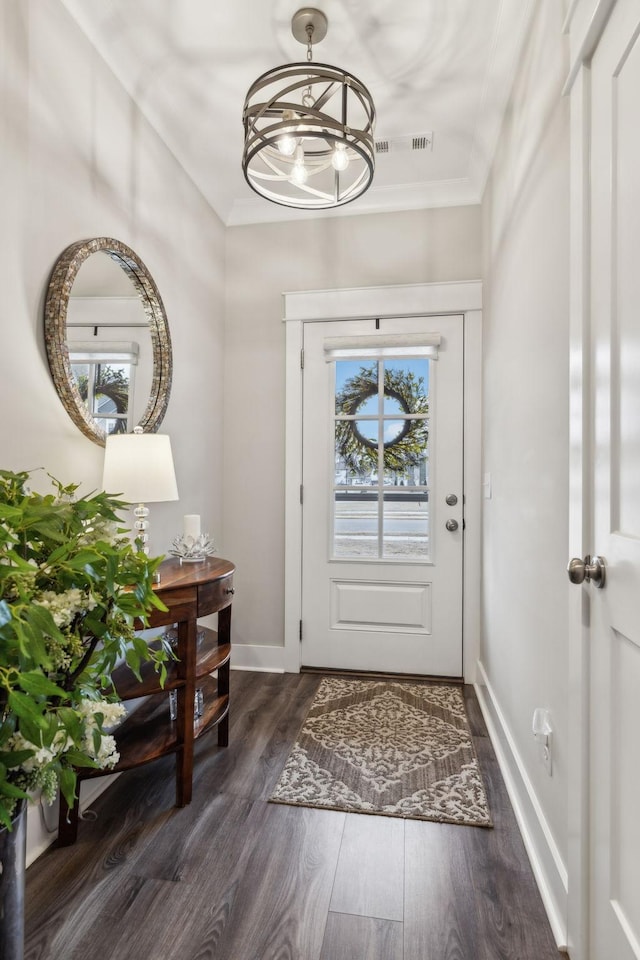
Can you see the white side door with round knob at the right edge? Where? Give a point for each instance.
(614, 913)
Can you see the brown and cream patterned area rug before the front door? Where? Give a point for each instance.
(392, 748)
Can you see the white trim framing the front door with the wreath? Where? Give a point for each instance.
(406, 300)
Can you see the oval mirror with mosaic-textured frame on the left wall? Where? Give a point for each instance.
(107, 339)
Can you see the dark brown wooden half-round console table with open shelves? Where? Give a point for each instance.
(189, 591)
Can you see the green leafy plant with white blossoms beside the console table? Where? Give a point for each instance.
(72, 589)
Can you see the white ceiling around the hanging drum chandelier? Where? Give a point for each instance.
(441, 68)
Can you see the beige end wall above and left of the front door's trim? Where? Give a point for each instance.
(264, 261)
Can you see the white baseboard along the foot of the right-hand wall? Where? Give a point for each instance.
(548, 867)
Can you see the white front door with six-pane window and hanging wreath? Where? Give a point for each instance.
(382, 527)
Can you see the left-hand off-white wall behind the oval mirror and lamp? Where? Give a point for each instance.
(77, 160)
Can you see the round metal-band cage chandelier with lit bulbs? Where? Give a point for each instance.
(308, 129)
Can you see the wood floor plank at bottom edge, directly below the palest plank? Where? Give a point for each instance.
(356, 938)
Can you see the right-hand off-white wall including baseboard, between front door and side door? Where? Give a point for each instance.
(525, 526)
